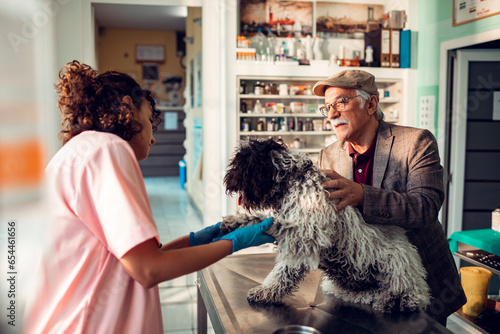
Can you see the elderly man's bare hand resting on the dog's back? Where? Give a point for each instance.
(349, 192)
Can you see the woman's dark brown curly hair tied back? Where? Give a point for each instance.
(92, 101)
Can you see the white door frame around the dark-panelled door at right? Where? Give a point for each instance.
(455, 192)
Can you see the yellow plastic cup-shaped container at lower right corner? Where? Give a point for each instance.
(475, 281)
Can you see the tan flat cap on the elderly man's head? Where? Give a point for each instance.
(355, 79)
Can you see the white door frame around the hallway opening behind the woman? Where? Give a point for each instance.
(218, 82)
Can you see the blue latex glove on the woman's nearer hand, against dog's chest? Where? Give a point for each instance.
(249, 236)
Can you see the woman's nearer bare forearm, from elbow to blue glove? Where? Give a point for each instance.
(150, 265)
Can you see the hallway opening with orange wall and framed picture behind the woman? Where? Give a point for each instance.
(147, 42)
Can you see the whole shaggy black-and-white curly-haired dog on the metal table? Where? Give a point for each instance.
(362, 263)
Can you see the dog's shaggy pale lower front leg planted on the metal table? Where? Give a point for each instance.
(281, 281)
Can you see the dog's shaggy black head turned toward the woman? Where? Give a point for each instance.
(261, 171)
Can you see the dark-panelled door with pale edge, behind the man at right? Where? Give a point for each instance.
(474, 139)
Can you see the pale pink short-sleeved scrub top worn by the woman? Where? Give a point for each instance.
(99, 211)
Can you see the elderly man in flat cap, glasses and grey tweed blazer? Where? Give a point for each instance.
(392, 174)
